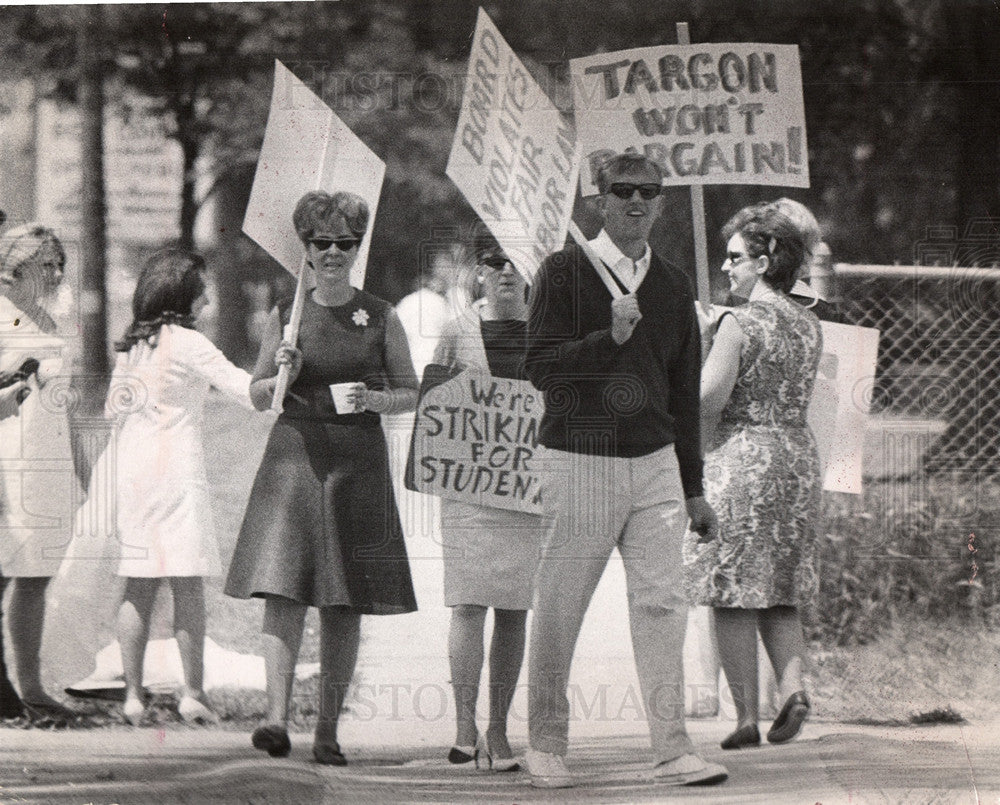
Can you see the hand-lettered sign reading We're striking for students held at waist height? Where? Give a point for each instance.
(474, 439)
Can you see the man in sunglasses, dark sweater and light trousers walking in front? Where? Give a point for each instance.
(621, 466)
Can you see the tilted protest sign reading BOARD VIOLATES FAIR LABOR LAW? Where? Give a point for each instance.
(514, 157)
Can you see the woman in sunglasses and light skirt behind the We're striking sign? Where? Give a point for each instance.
(490, 554)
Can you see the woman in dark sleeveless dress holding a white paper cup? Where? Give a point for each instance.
(322, 528)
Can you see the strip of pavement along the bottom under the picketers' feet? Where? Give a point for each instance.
(829, 763)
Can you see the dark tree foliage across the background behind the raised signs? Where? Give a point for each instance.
(899, 98)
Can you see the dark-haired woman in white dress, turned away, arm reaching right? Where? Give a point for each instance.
(162, 377)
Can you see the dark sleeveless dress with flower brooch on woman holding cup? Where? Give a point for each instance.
(322, 527)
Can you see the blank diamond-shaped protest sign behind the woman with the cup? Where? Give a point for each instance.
(306, 147)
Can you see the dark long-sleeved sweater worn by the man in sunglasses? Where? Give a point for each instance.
(602, 398)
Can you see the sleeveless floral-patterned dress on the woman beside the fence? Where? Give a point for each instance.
(762, 471)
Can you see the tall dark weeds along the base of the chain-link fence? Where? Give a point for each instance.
(921, 548)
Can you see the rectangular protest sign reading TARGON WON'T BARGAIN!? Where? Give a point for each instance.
(706, 113)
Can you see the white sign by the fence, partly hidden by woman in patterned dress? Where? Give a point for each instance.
(839, 407)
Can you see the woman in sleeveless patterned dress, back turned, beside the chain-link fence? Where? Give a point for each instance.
(761, 472)
